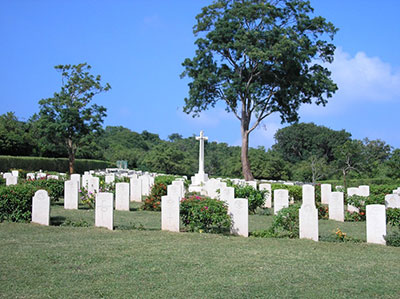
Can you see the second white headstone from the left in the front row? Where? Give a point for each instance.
(104, 210)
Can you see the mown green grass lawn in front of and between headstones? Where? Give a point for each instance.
(139, 260)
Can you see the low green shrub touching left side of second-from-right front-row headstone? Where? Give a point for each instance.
(286, 222)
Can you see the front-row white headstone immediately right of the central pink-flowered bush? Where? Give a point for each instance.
(239, 211)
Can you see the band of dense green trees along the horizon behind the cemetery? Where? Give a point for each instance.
(303, 152)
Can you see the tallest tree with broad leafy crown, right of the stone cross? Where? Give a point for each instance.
(259, 57)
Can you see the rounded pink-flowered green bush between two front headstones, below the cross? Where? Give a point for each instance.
(204, 214)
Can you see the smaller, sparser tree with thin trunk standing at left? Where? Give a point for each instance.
(69, 117)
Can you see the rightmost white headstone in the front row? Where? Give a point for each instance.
(376, 224)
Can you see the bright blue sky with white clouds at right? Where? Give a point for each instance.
(138, 46)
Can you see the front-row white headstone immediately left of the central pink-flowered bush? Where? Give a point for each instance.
(170, 213)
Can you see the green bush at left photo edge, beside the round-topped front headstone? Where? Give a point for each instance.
(16, 202)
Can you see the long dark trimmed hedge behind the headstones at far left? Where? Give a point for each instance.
(49, 164)
